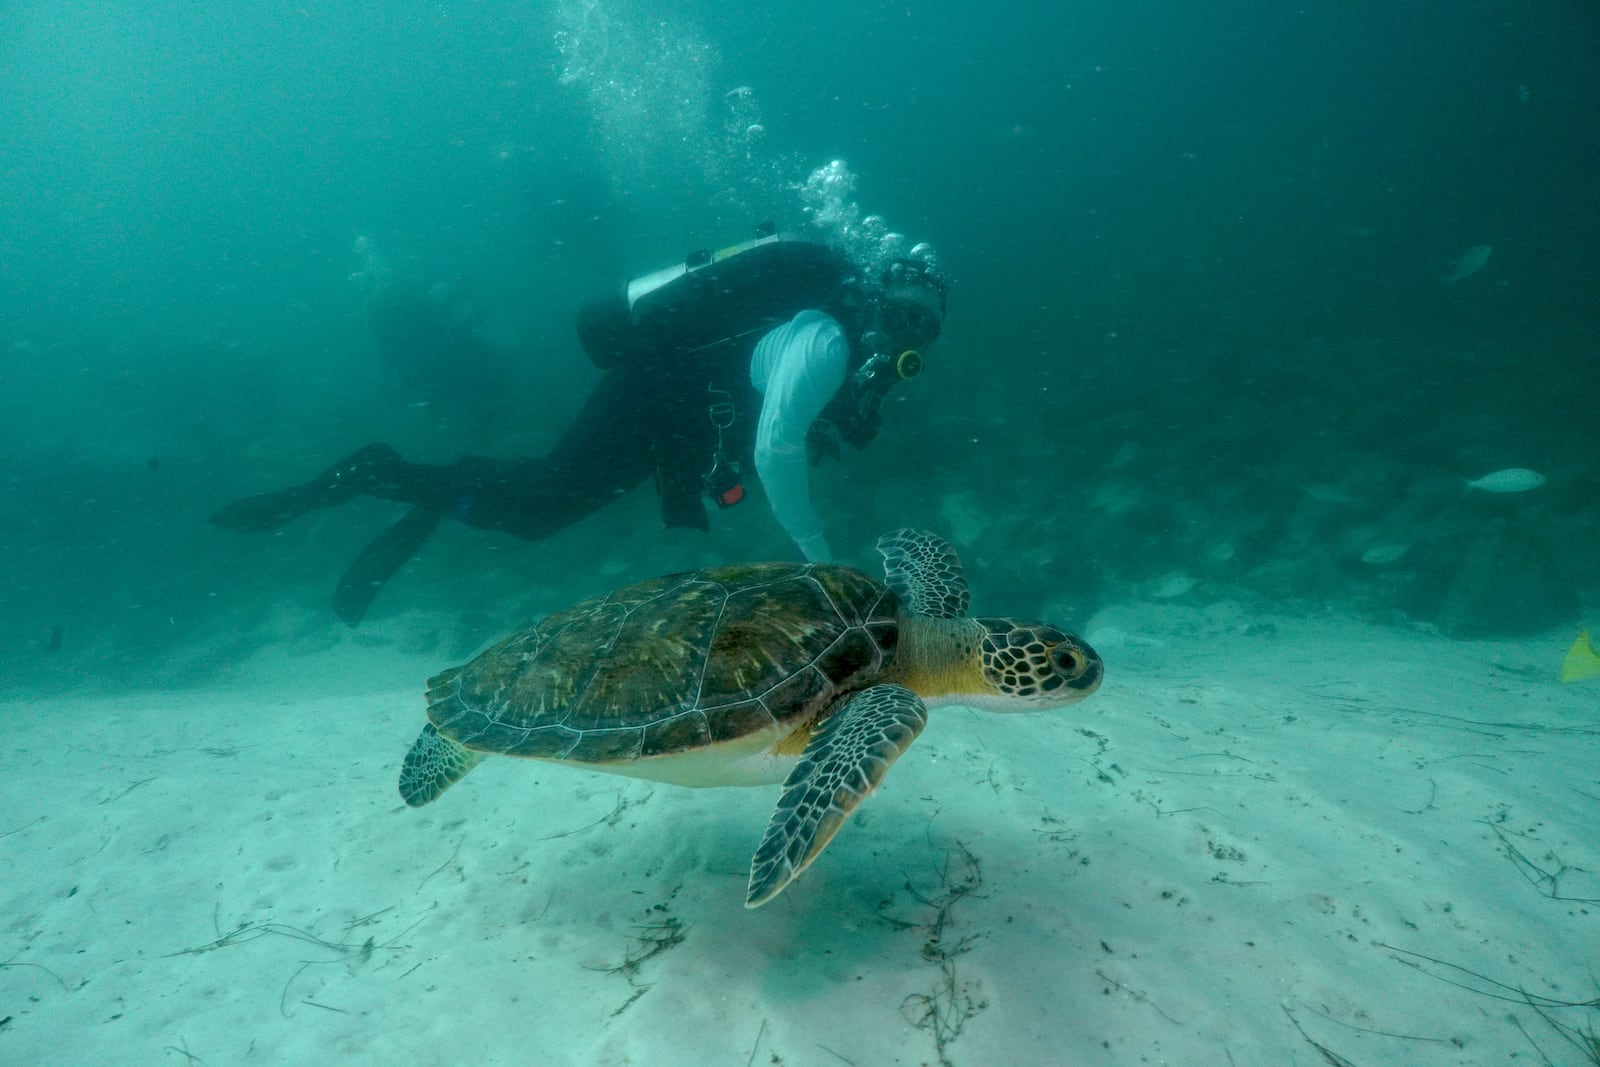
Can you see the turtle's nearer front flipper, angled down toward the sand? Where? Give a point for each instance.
(846, 761)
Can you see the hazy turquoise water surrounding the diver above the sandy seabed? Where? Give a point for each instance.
(1223, 329)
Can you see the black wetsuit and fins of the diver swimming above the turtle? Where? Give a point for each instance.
(652, 415)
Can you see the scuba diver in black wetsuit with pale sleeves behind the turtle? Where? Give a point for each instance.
(764, 356)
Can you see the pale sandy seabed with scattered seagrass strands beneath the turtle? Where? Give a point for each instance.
(1262, 842)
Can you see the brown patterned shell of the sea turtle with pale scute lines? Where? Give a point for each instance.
(673, 665)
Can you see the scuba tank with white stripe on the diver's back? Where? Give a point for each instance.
(711, 298)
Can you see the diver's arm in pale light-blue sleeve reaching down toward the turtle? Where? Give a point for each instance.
(804, 374)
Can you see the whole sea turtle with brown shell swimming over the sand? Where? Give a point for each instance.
(807, 674)
